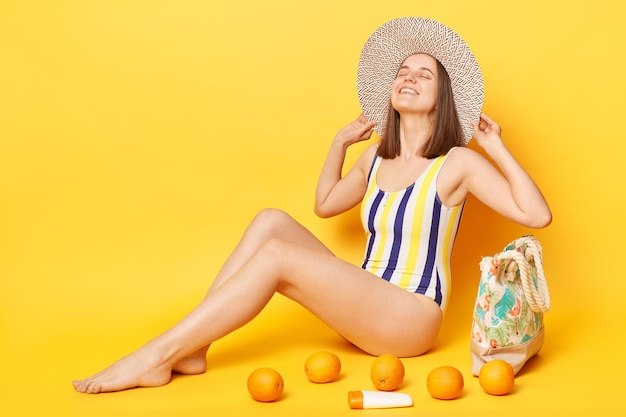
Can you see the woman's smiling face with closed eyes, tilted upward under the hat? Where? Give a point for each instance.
(414, 91)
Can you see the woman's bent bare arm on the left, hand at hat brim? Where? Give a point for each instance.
(336, 194)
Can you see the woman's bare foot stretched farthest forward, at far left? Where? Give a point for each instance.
(134, 370)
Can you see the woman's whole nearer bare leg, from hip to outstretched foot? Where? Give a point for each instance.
(371, 313)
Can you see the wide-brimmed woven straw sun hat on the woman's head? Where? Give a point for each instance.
(396, 40)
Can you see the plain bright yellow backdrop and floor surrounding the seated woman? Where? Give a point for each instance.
(138, 138)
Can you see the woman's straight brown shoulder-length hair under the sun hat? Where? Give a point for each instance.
(446, 134)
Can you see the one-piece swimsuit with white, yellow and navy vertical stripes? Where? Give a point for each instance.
(410, 234)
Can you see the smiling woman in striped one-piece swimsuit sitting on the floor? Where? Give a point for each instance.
(412, 185)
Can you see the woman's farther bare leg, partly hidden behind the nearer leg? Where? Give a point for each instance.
(268, 224)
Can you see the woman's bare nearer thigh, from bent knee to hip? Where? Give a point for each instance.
(375, 315)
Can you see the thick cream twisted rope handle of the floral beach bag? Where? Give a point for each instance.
(538, 296)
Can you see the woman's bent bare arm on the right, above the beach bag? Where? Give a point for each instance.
(510, 191)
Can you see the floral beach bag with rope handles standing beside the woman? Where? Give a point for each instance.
(508, 313)
